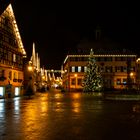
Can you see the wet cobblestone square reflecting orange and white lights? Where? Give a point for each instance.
(68, 116)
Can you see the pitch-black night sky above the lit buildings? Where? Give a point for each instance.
(56, 27)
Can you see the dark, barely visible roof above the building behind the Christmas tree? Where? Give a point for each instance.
(101, 48)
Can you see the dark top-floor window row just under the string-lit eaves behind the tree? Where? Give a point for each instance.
(104, 58)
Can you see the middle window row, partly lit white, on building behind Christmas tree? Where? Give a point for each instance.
(101, 69)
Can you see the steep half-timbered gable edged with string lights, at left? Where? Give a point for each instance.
(10, 30)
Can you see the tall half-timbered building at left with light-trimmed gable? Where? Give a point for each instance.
(12, 54)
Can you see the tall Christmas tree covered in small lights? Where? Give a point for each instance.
(92, 80)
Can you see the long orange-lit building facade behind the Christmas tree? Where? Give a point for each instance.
(115, 66)
